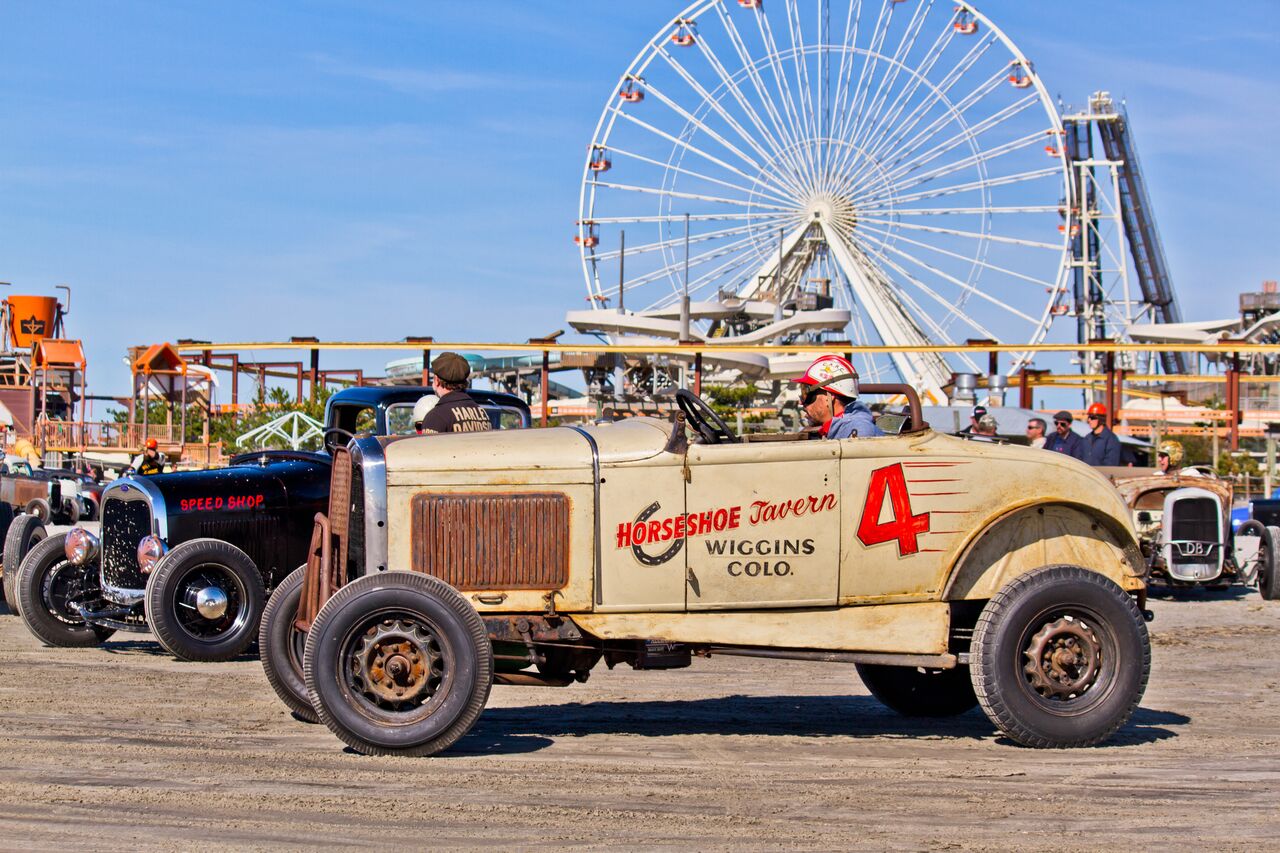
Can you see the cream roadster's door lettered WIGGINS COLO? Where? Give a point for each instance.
(765, 524)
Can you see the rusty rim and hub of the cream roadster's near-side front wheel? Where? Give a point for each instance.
(399, 663)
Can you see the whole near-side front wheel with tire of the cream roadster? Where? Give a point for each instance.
(399, 664)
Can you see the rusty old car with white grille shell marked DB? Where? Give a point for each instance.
(1185, 528)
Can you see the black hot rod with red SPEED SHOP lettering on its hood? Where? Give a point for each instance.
(193, 555)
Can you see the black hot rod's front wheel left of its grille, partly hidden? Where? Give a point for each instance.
(49, 587)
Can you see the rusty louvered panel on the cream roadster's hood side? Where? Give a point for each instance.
(492, 541)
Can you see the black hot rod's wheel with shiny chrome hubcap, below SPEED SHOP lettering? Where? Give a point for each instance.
(205, 600)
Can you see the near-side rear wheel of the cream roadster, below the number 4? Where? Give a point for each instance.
(1060, 658)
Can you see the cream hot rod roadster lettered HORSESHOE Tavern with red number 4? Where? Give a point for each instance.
(950, 573)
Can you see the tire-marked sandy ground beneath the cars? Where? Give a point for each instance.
(126, 749)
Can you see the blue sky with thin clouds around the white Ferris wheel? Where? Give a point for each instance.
(368, 171)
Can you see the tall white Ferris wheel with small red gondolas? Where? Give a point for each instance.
(897, 159)
